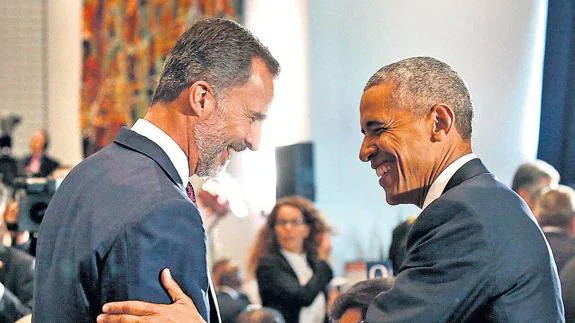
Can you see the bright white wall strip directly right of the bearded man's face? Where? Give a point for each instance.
(282, 26)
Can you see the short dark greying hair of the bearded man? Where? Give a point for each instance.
(215, 50)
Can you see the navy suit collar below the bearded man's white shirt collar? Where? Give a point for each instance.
(141, 144)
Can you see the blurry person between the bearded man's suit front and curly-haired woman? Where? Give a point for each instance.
(227, 281)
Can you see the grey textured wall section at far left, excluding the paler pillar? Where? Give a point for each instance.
(23, 67)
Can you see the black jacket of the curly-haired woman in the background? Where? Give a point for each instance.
(280, 289)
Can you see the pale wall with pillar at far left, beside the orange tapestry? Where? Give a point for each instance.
(41, 64)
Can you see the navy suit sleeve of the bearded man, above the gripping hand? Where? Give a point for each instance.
(171, 236)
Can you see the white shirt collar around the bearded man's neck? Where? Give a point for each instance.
(170, 147)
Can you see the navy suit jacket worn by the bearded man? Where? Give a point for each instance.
(115, 222)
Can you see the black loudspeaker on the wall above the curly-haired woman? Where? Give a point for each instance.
(294, 170)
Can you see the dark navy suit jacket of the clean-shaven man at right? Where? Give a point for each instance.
(475, 254)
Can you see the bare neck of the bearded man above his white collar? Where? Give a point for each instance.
(178, 125)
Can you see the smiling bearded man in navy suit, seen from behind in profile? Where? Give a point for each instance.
(128, 211)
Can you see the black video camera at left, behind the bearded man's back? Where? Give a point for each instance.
(35, 194)
